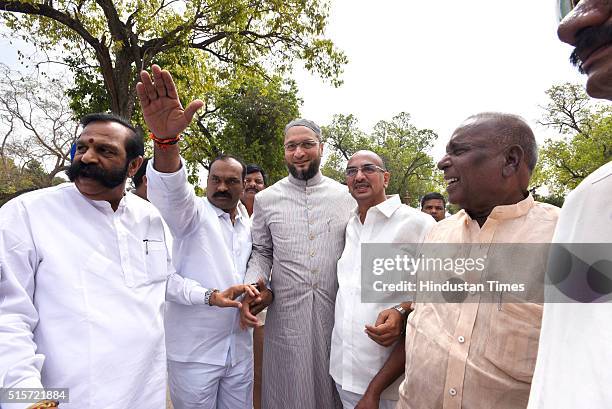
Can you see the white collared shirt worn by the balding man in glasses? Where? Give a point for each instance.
(355, 358)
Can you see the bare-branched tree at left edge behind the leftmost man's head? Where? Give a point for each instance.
(37, 128)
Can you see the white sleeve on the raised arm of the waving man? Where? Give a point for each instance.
(174, 197)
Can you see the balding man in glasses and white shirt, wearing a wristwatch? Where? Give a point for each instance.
(364, 334)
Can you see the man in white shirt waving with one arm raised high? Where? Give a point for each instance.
(210, 358)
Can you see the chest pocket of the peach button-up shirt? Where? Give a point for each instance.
(512, 344)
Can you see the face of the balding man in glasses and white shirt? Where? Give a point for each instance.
(368, 185)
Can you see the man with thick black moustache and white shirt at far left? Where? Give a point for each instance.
(84, 274)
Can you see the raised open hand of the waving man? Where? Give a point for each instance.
(161, 107)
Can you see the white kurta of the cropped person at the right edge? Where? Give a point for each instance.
(574, 366)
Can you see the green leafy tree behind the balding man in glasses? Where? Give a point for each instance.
(402, 146)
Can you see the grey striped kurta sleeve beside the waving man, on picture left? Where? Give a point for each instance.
(260, 263)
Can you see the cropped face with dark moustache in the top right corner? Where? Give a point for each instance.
(588, 27)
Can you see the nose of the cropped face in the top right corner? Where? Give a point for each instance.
(588, 13)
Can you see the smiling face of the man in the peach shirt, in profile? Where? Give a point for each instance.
(473, 166)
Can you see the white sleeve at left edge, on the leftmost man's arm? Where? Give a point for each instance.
(20, 365)
